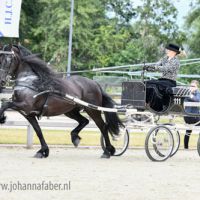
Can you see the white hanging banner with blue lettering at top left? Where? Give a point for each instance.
(9, 18)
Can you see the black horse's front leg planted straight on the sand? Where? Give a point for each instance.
(44, 151)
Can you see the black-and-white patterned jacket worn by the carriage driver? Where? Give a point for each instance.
(168, 67)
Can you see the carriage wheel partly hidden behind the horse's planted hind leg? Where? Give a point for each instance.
(120, 142)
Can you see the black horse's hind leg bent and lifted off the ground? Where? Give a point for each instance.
(75, 114)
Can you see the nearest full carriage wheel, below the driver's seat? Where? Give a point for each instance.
(159, 143)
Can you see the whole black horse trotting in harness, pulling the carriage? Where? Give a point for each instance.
(33, 76)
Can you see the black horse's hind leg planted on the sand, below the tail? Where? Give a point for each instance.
(96, 116)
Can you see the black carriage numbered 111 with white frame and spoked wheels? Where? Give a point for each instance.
(163, 140)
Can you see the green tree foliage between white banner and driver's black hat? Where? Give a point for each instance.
(105, 33)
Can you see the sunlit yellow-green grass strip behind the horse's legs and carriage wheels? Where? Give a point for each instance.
(60, 137)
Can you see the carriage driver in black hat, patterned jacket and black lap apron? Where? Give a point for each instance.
(158, 91)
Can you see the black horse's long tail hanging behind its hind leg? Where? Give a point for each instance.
(112, 119)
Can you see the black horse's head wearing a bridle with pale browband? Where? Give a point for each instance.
(9, 62)
